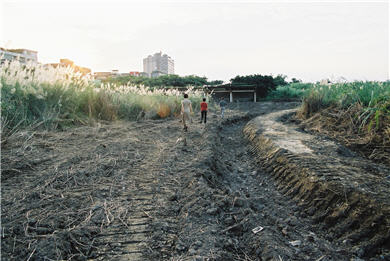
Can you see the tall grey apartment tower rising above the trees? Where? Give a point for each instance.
(158, 64)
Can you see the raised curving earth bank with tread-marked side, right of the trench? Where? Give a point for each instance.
(344, 193)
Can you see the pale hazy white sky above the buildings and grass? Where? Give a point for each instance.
(307, 40)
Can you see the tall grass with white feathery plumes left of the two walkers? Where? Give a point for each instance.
(35, 95)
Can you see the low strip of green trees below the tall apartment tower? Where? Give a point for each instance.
(162, 81)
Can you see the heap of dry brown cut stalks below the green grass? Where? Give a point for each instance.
(361, 131)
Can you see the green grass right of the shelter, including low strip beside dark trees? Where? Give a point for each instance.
(372, 98)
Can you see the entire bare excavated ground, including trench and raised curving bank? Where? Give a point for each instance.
(252, 186)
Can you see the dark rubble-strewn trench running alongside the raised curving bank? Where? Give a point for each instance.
(231, 209)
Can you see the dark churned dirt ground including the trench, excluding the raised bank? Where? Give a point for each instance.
(134, 191)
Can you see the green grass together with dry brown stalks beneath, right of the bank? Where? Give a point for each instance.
(357, 114)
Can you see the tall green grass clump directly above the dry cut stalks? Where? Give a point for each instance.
(368, 104)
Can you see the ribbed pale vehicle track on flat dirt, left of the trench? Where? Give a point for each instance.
(126, 238)
